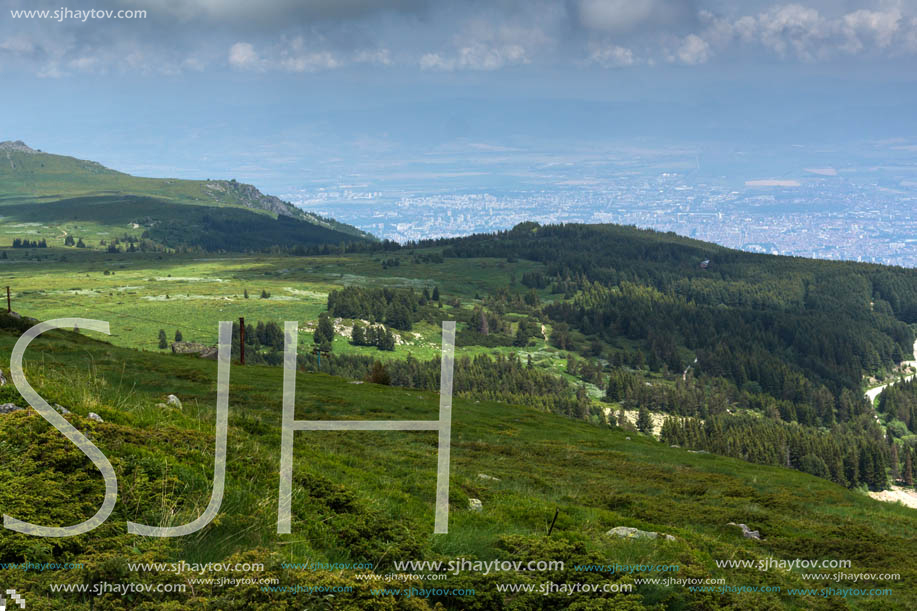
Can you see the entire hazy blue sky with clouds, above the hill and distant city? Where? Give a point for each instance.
(284, 93)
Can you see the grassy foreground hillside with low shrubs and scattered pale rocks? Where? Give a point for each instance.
(368, 497)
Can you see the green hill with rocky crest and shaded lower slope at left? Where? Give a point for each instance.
(45, 196)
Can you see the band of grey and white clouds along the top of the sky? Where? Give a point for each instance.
(439, 35)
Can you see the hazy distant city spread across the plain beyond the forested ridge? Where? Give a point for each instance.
(822, 215)
